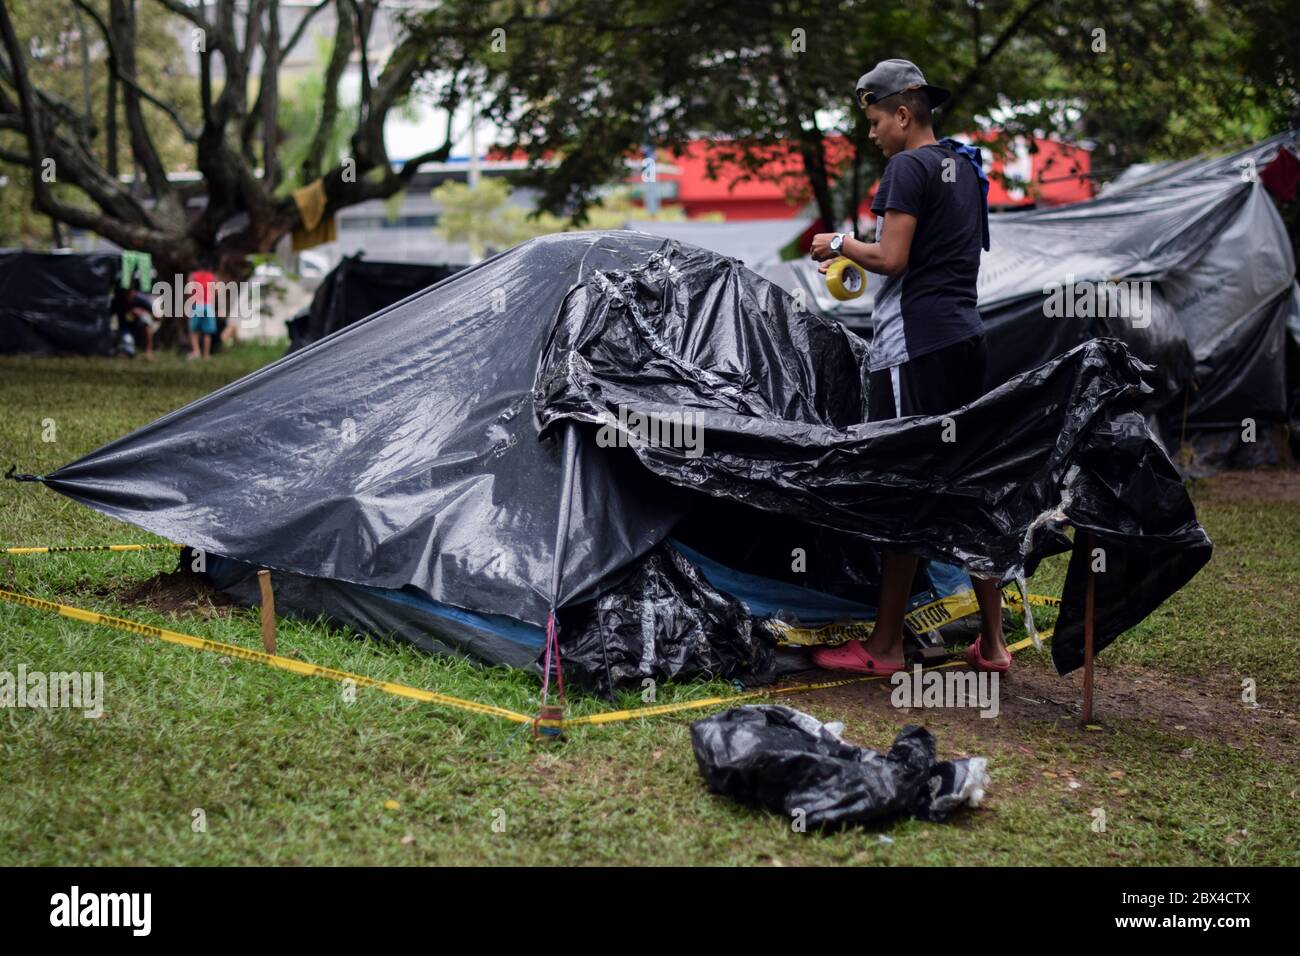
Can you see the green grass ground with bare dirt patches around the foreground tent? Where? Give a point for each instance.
(281, 769)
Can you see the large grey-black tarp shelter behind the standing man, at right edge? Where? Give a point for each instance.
(1211, 243)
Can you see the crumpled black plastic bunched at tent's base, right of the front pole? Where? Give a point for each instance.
(664, 622)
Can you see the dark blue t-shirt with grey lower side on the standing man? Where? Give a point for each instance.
(933, 304)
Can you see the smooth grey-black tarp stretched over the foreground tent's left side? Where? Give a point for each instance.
(402, 451)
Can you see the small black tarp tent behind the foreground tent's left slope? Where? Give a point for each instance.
(356, 289)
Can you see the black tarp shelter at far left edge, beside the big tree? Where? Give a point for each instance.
(58, 302)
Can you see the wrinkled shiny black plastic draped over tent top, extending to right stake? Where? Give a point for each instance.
(779, 401)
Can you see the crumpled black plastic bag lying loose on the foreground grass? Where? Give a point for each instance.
(788, 762)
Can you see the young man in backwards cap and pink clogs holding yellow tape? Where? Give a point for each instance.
(929, 354)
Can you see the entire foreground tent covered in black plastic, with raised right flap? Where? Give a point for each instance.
(437, 471)
